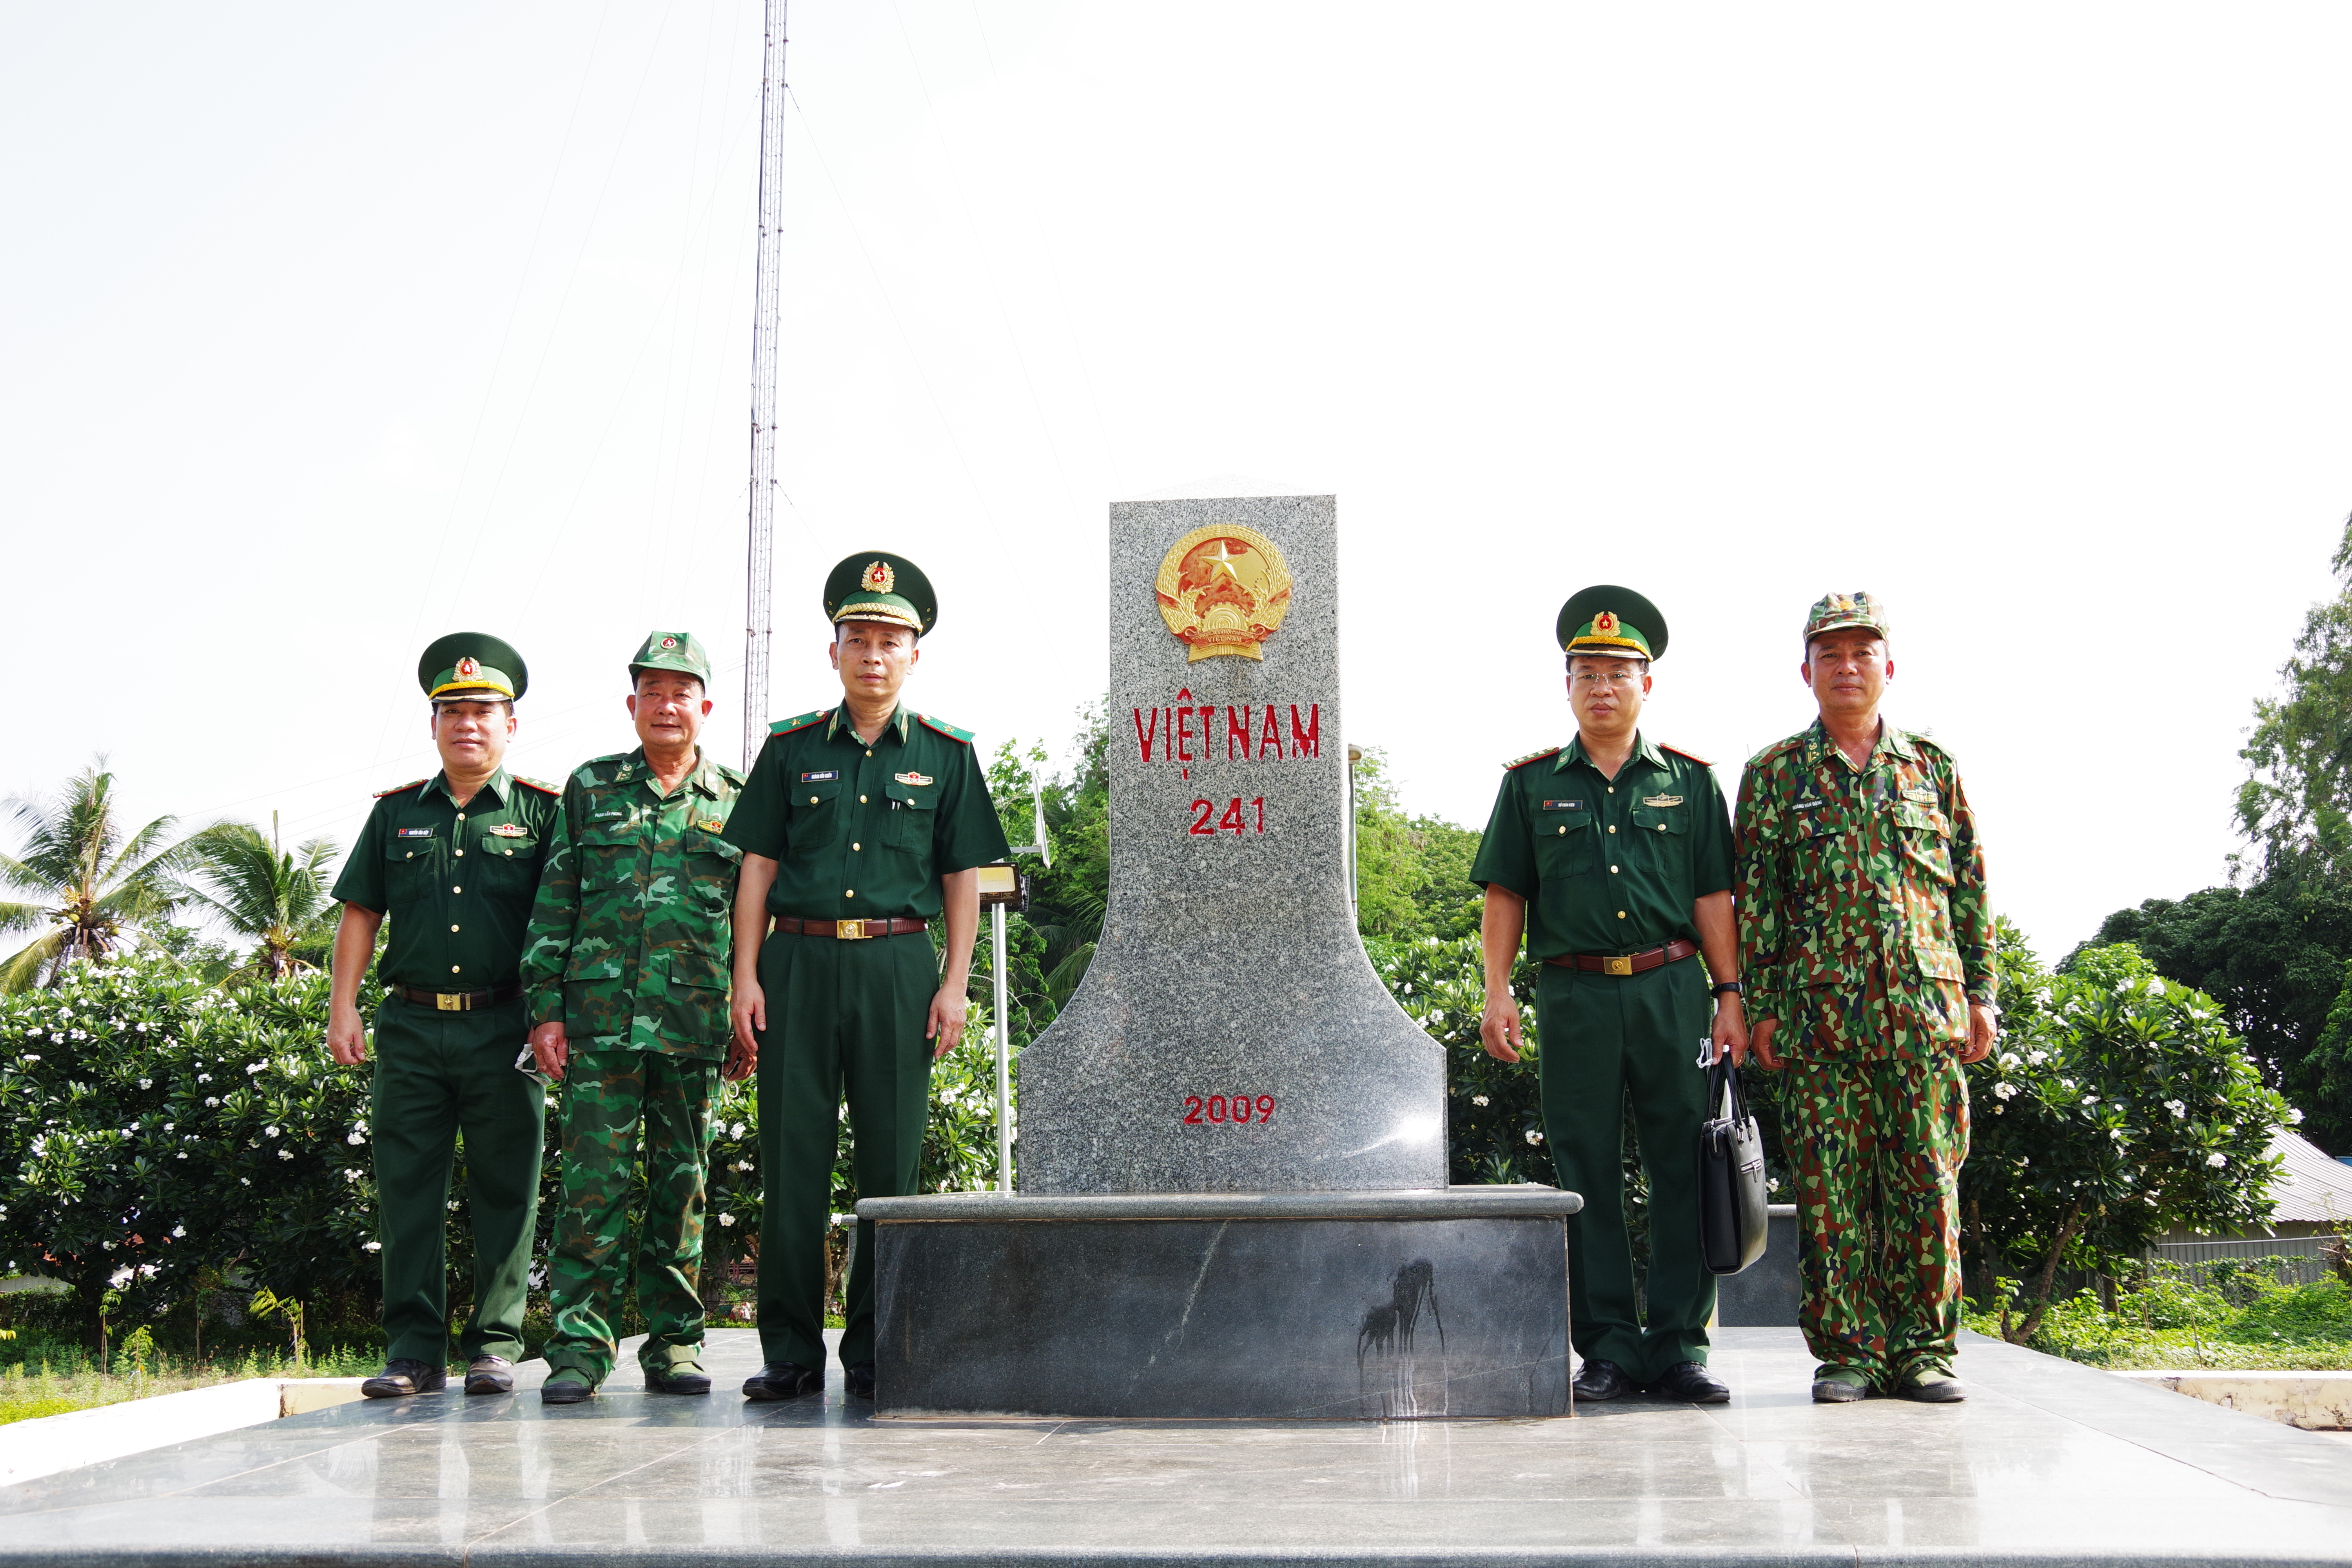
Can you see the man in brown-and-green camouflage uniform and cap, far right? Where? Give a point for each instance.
(1869, 963)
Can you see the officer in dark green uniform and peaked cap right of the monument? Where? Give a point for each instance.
(1612, 855)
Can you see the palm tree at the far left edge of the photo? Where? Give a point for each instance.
(91, 883)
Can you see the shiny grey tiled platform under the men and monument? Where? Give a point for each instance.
(2050, 1463)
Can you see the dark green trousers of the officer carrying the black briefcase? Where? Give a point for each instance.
(1612, 1043)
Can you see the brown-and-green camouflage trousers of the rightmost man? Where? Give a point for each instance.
(1878, 1151)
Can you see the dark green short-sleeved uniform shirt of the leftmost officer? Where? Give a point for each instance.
(455, 880)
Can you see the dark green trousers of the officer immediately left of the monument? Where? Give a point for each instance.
(838, 1017)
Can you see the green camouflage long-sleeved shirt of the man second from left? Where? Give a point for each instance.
(632, 942)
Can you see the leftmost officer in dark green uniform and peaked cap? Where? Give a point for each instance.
(453, 862)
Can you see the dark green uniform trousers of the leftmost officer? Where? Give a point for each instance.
(439, 1078)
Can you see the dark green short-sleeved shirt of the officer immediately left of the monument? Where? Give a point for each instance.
(867, 831)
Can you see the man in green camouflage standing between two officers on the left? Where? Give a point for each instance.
(627, 972)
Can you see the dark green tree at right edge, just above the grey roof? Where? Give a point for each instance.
(2276, 956)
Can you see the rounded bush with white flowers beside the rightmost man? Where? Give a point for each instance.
(2116, 1108)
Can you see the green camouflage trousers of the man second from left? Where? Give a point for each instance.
(608, 1094)
